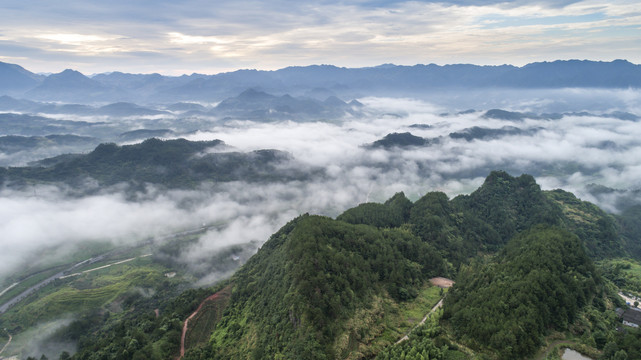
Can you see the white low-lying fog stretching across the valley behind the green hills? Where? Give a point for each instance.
(570, 153)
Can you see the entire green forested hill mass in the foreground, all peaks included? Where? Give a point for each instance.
(321, 288)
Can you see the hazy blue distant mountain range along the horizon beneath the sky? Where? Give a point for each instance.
(316, 81)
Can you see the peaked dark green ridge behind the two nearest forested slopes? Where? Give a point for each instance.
(490, 216)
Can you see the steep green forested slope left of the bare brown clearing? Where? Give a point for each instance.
(296, 297)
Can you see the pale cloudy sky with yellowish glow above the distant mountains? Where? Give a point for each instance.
(183, 37)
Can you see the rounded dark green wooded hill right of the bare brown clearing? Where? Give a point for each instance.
(540, 281)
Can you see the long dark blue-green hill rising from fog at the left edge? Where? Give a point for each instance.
(171, 163)
